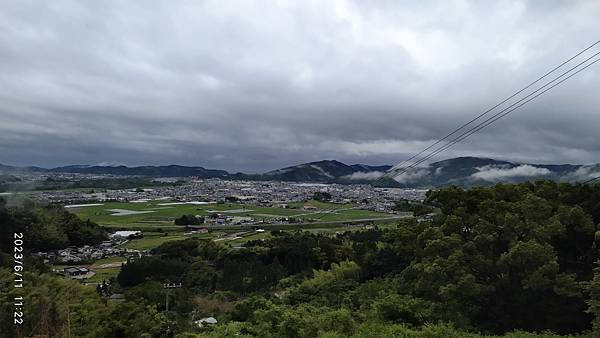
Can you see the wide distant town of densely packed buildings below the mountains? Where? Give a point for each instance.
(262, 193)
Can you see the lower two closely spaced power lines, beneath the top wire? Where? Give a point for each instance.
(501, 114)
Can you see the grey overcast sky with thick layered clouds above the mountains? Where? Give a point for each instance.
(255, 85)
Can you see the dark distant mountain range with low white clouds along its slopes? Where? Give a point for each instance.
(463, 171)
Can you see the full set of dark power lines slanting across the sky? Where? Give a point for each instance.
(500, 114)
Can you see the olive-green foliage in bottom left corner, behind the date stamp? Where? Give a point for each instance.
(57, 307)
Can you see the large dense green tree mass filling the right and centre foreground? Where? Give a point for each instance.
(509, 257)
